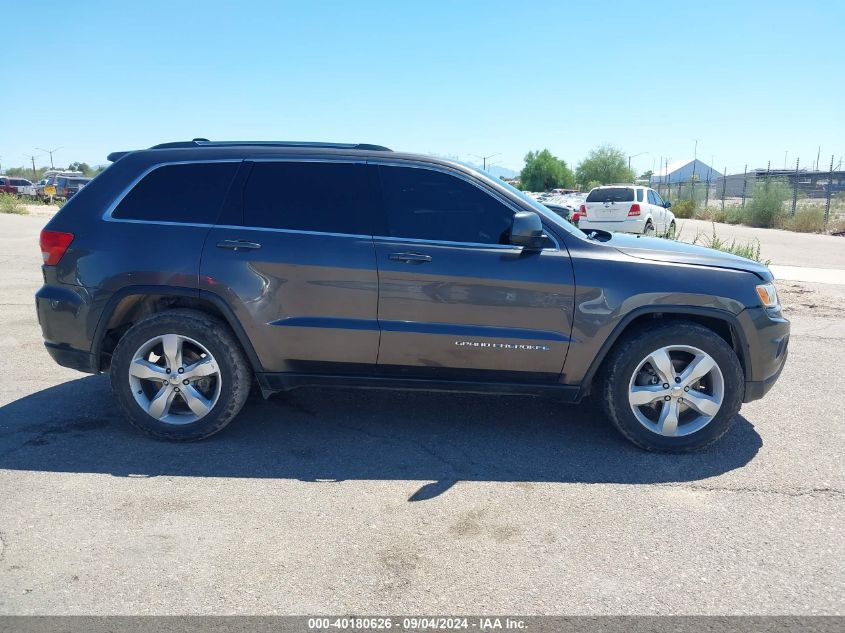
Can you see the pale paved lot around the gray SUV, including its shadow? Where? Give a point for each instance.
(345, 501)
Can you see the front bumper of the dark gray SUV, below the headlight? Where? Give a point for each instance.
(766, 347)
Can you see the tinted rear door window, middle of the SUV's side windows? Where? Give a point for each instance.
(324, 197)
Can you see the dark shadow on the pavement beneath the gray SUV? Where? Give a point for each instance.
(340, 434)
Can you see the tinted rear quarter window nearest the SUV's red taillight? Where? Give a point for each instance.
(191, 192)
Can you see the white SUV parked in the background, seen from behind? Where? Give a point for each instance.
(627, 209)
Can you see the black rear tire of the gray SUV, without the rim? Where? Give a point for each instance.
(217, 338)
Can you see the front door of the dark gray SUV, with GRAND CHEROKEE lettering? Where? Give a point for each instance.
(456, 300)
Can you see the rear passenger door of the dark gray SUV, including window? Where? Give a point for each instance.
(293, 256)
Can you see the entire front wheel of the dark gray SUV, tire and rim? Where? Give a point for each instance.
(675, 388)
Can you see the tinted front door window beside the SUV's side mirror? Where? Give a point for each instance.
(431, 205)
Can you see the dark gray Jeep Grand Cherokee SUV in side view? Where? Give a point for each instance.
(192, 270)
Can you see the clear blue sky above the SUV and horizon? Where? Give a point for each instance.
(749, 80)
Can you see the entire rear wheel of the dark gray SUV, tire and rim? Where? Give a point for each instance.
(180, 375)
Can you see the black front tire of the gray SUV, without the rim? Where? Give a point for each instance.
(624, 359)
